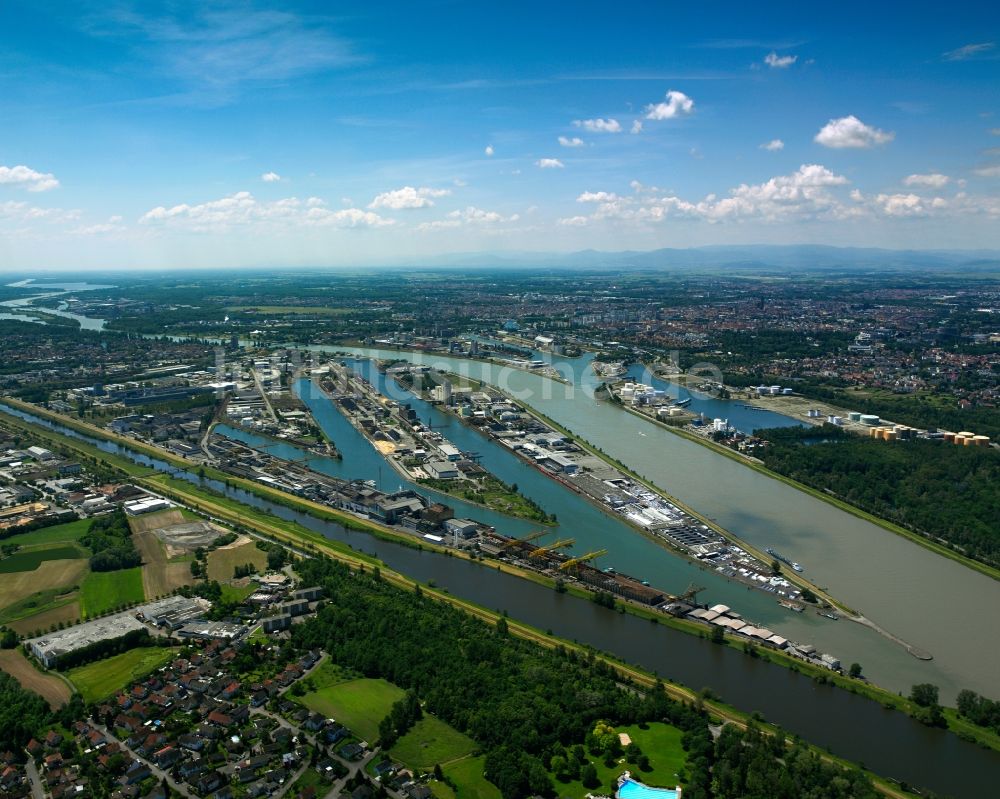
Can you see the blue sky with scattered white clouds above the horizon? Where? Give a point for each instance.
(223, 134)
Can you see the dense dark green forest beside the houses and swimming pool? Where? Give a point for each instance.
(528, 707)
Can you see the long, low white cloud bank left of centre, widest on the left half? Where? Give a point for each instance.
(242, 209)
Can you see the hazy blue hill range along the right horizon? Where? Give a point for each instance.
(748, 257)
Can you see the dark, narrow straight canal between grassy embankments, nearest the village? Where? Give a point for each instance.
(890, 743)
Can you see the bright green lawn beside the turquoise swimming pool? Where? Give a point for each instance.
(661, 743)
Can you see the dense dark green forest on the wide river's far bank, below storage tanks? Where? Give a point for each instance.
(940, 490)
